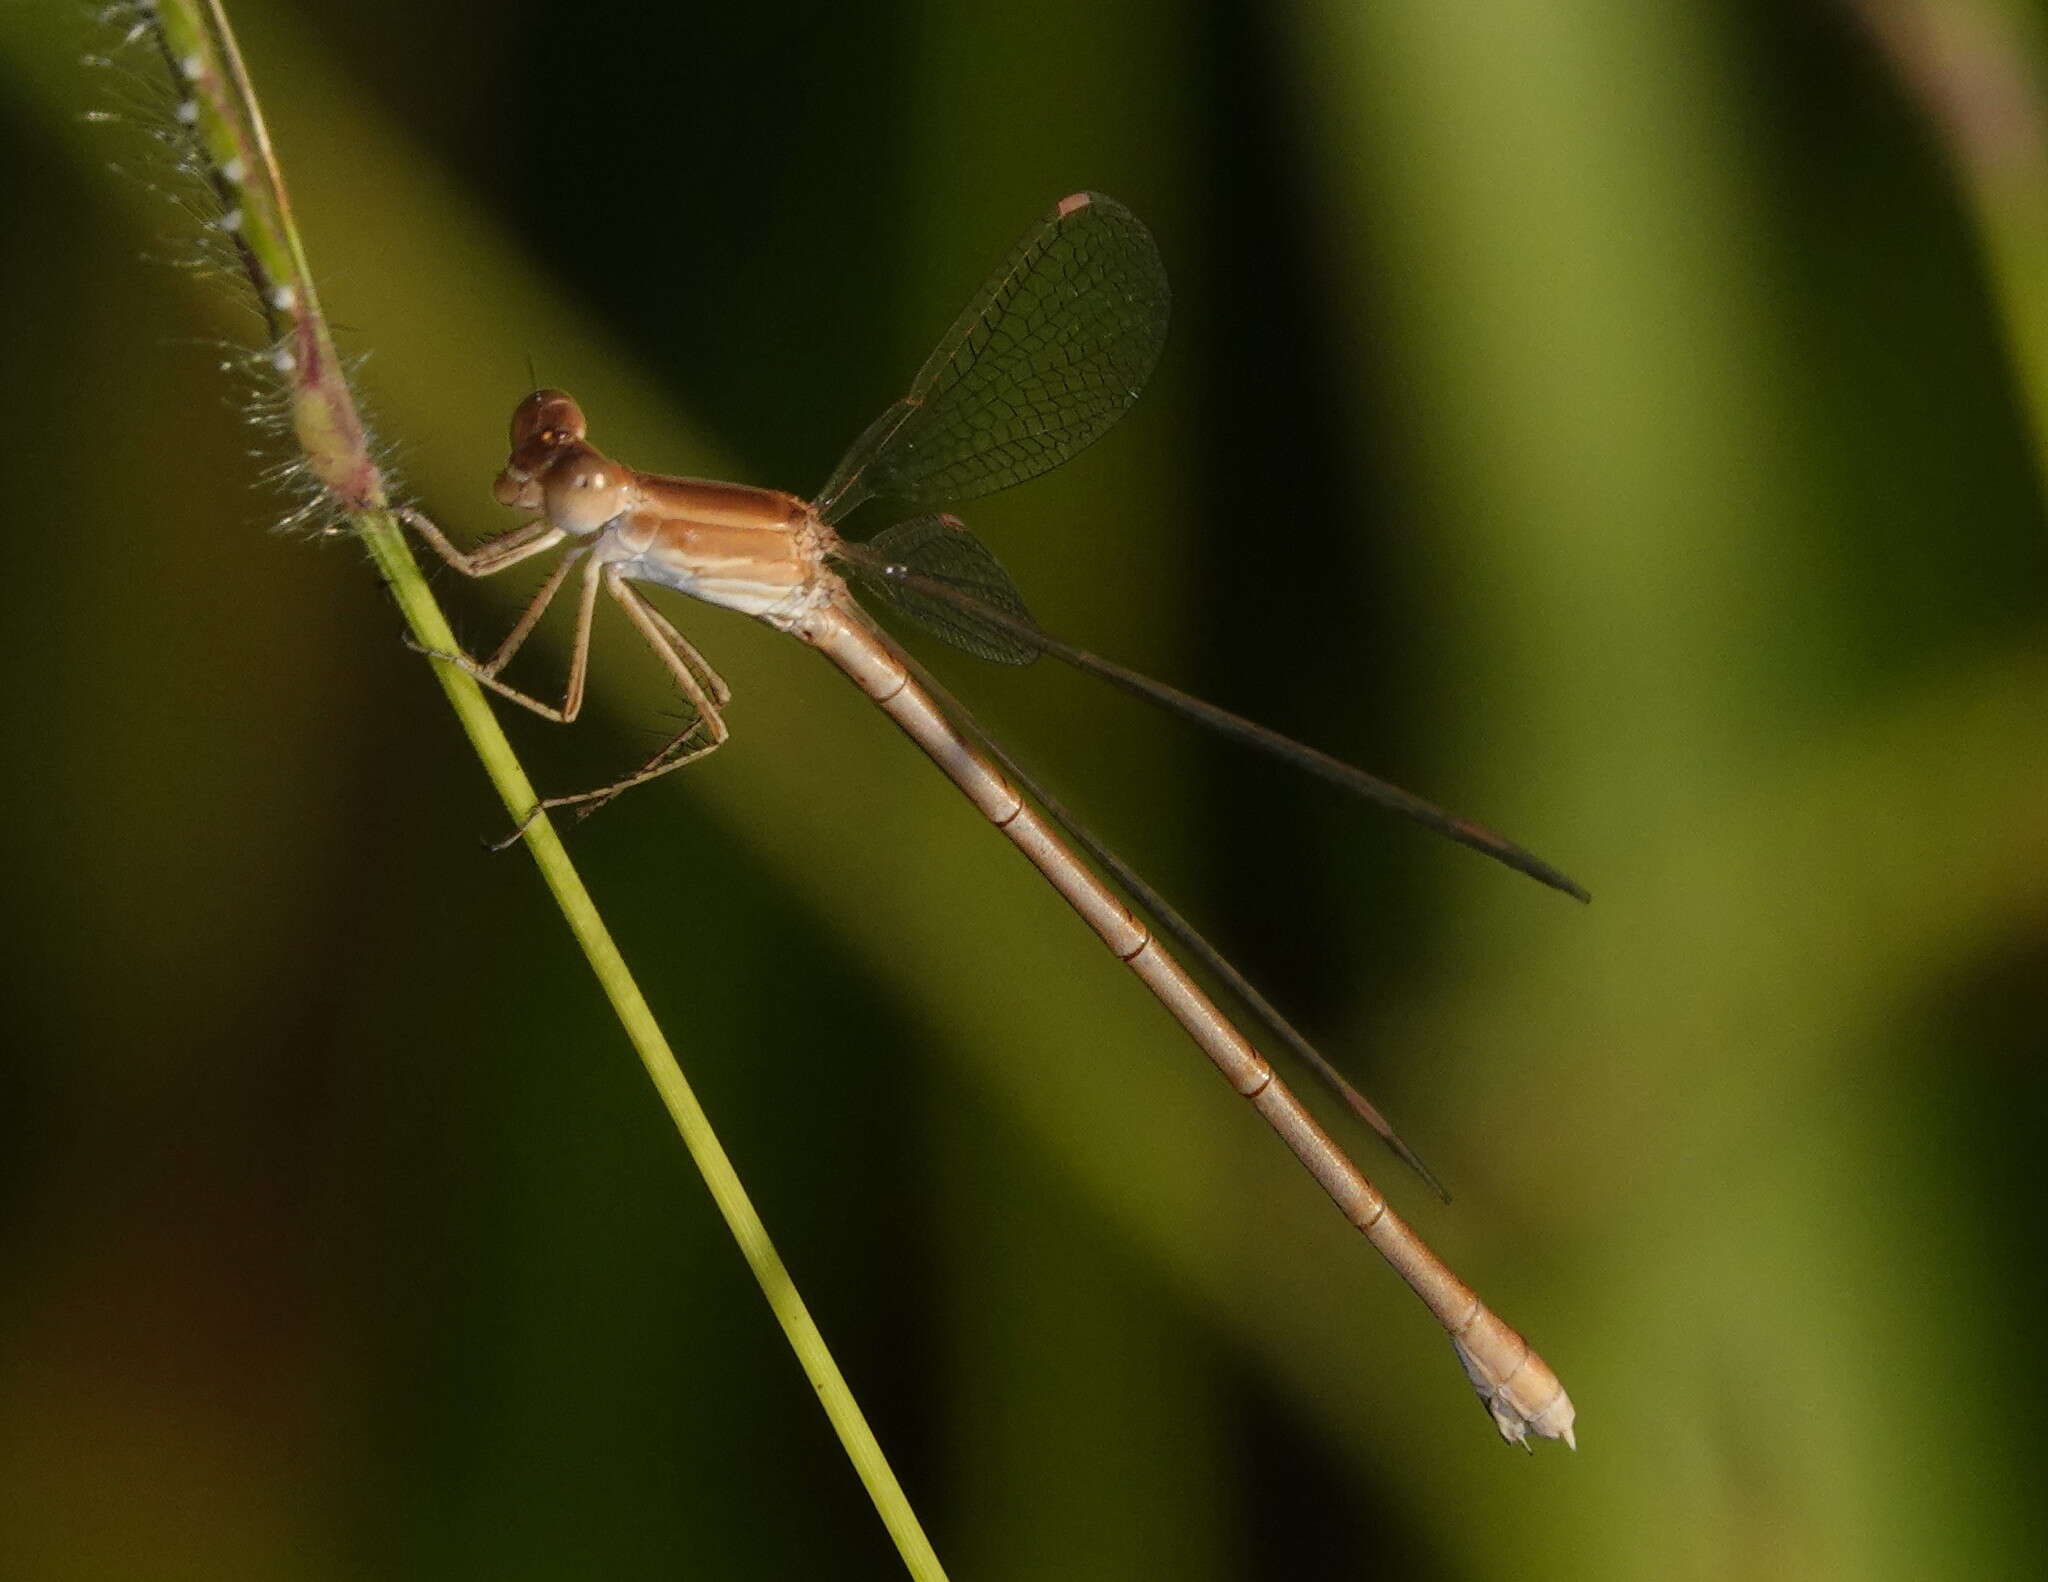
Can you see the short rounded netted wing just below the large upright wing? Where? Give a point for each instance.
(947, 581)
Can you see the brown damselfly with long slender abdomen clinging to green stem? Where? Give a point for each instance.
(1039, 366)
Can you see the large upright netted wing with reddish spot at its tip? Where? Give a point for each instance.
(1039, 366)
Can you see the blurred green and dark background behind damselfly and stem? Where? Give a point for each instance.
(1594, 415)
